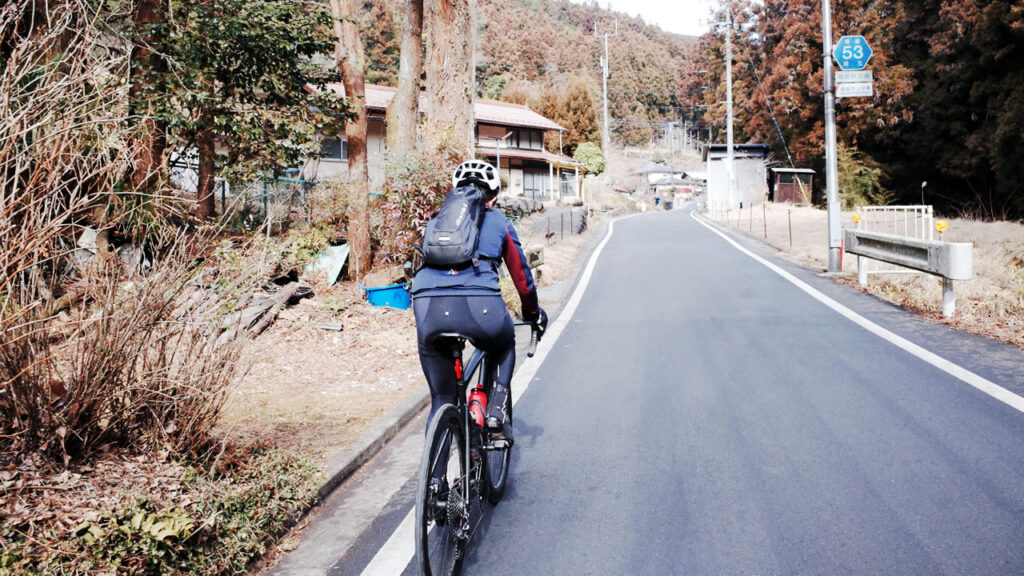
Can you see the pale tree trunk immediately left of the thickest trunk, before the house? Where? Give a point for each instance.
(404, 114)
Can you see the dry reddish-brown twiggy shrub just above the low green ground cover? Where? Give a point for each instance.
(140, 364)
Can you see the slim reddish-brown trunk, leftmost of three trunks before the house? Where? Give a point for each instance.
(352, 65)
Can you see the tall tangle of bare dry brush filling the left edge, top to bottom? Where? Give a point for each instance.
(134, 361)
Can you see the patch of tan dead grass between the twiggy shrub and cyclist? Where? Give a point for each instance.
(315, 392)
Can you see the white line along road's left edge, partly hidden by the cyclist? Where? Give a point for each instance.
(396, 555)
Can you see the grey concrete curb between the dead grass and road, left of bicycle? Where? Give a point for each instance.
(371, 442)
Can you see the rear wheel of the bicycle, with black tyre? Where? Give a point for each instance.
(442, 510)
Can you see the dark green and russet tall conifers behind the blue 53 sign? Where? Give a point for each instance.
(949, 105)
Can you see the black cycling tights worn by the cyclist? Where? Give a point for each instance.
(486, 321)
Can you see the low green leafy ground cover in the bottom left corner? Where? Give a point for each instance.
(219, 524)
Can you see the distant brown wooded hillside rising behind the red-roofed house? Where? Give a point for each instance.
(544, 53)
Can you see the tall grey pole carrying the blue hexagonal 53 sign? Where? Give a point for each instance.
(832, 162)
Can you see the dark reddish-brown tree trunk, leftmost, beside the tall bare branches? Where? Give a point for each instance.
(150, 139)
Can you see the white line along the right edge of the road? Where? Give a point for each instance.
(988, 387)
